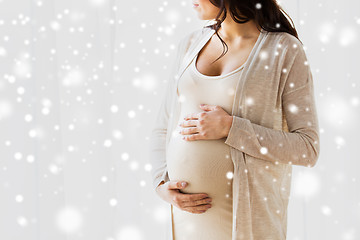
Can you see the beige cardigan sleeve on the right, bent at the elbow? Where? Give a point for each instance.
(300, 145)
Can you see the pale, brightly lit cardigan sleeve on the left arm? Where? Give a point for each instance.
(157, 153)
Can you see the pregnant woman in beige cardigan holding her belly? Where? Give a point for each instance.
(230, 127)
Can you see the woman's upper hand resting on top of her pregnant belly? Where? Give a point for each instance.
(214, 123)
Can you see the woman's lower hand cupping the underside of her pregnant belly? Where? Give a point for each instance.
(190, 202)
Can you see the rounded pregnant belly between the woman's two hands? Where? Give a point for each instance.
(205, 164)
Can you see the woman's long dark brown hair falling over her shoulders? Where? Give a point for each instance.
(265, 13)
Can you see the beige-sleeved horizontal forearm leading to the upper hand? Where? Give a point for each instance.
(277, 146)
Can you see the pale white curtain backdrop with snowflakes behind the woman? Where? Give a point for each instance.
(80, 84)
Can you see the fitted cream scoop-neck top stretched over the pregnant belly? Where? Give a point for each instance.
(204, 164)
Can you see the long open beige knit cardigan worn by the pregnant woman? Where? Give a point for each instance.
(274, 126)
